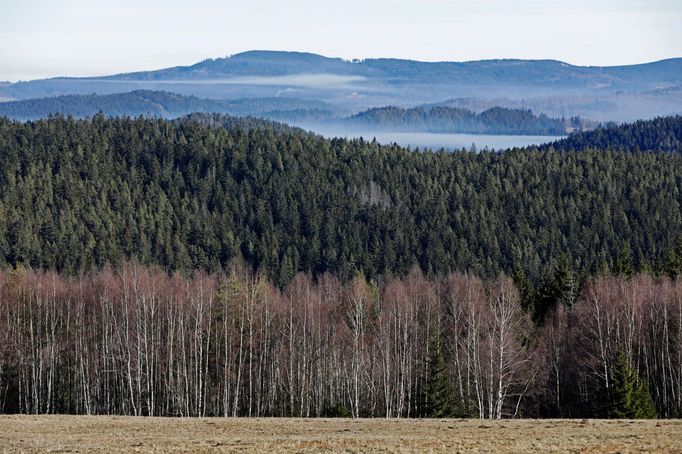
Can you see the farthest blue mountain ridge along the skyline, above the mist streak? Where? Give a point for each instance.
(275, 63)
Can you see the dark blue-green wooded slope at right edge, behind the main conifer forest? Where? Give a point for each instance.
(659, 134)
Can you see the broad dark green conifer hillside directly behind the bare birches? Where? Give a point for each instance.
(185, 195)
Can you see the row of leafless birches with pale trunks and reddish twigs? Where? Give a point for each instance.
(137, 341)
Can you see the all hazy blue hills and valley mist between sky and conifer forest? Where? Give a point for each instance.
(383, 98)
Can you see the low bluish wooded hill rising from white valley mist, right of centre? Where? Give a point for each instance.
(443, 119)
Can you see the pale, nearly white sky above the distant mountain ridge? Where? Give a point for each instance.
(46, 38)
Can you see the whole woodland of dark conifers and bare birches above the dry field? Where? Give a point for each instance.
(222, 266)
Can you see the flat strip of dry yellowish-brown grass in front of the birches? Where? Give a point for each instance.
(127, 434)
